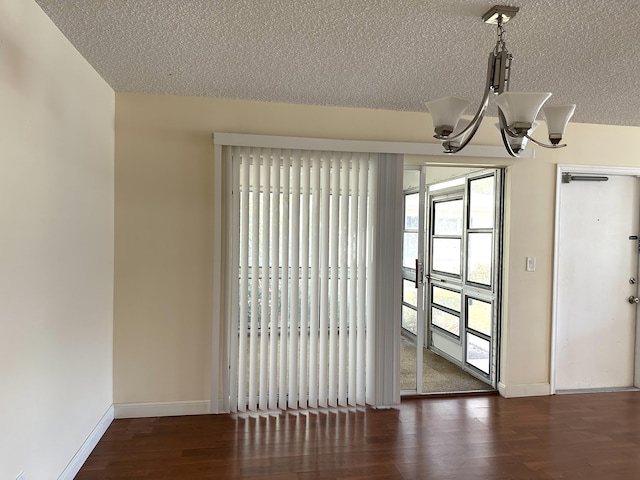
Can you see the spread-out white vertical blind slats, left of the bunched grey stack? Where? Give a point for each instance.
(304, 234)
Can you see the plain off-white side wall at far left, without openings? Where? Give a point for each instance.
(56, 245)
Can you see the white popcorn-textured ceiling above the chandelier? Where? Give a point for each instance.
(389, 54)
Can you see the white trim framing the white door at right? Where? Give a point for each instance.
(571, 168)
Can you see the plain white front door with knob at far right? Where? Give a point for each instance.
(595, 341)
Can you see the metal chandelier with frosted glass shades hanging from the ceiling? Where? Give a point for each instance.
(517, 111)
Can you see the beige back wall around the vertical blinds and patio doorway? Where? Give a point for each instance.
(164, 228)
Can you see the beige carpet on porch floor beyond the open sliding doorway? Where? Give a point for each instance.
(439, 375)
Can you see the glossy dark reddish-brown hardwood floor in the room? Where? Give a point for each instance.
(582, 436)
